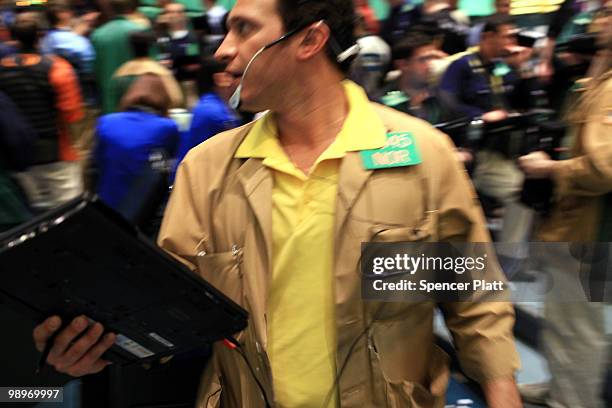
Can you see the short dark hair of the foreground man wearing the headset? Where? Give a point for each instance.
(339, 15)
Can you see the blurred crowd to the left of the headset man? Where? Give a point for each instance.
(69, 69)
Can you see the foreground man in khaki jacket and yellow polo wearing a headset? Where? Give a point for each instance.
(274, 214)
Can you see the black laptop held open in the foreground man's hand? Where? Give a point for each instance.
(85, 259)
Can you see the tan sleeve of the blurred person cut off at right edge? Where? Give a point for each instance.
(590, 173)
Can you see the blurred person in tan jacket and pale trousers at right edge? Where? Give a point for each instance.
(574, 338)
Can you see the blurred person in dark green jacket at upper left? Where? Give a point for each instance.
(112, 46)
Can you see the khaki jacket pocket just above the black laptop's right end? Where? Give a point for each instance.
(223, 270)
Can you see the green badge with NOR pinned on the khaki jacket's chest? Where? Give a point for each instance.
(399, 151)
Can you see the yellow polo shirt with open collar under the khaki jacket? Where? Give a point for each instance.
(301, 312)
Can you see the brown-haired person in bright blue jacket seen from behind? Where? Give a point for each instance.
(126, 139)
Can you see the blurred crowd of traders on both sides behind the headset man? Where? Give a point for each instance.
(426, 60)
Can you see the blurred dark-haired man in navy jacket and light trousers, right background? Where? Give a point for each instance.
(480, 84)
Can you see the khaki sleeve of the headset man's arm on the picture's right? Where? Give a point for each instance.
(482, 331)
